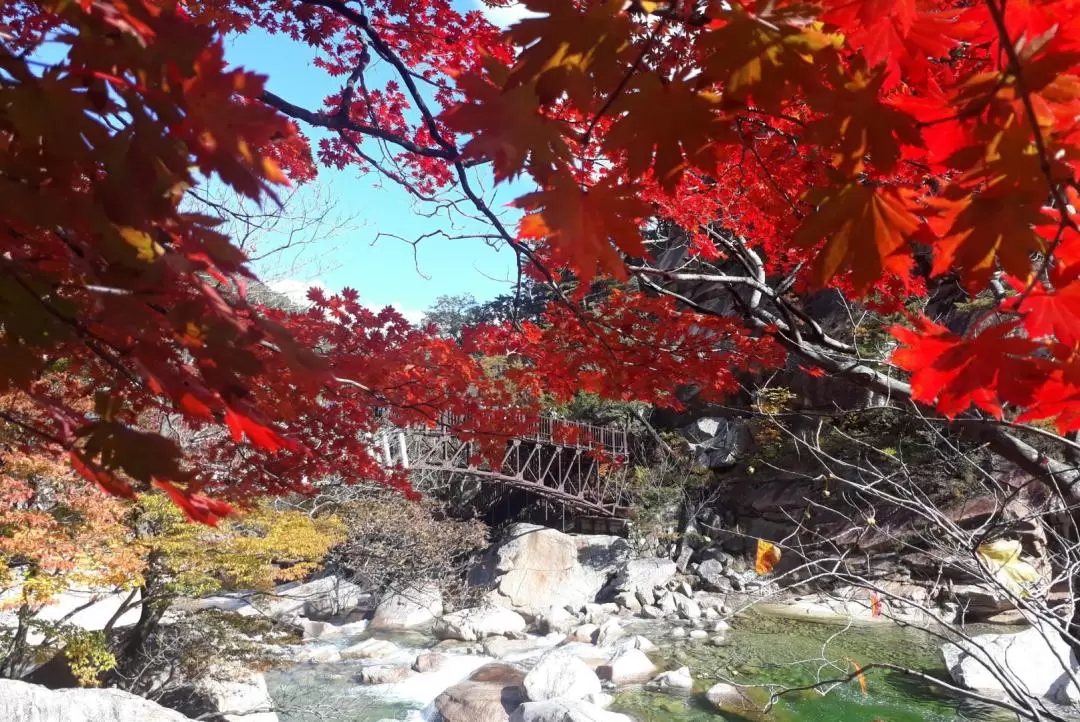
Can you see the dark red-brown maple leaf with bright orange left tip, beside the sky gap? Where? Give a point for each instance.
(584, 224)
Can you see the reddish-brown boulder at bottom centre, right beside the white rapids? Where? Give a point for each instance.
(490, 696)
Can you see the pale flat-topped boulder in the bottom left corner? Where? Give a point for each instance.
(31, 703)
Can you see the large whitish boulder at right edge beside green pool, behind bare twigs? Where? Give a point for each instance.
(1033, 658)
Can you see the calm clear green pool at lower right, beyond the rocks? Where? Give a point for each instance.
(787, 653)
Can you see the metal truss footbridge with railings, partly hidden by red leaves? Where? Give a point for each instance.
(578, 466)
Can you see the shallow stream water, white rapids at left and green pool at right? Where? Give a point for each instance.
(762, 650)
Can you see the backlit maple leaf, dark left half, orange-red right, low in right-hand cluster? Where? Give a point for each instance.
(866, 228)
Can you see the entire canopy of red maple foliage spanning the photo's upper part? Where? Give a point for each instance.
(863, 145)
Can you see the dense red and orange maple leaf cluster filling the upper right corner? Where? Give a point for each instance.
(847, 139)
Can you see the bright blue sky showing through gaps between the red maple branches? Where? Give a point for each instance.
(384, 273)
